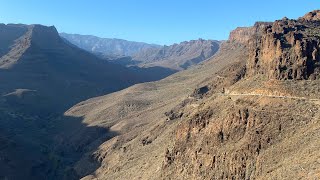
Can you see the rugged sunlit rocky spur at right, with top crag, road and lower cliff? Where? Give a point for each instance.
(242, 128)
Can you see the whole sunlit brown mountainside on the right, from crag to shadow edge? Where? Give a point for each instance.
(250, 112)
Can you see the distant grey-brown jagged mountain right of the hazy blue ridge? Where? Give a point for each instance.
(178, 56)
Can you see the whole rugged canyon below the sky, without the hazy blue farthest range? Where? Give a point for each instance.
(245, 108)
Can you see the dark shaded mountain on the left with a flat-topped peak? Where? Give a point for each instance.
(41, 77)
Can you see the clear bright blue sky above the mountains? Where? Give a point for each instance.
(152, 21)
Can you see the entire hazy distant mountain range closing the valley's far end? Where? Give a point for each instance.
(177, 56)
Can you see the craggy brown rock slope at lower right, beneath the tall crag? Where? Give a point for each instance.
(246, 137)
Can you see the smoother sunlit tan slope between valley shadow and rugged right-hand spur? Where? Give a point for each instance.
(138, 114)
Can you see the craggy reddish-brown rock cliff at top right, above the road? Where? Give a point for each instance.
(286, 49)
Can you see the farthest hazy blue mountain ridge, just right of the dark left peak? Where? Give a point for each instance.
(106, 47)
